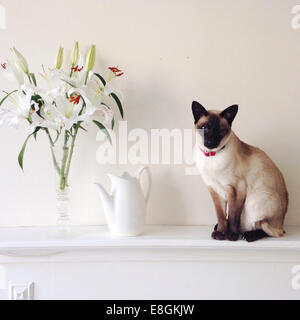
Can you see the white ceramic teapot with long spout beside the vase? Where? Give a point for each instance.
(125, 209)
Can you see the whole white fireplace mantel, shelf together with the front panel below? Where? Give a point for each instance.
(174, 262)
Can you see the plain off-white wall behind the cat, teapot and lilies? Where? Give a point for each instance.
(219, 52)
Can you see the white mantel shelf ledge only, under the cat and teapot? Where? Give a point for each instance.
(46, 243)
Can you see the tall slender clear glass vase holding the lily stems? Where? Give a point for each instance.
(62, 153)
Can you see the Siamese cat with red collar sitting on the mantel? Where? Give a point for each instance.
(248, 190)
